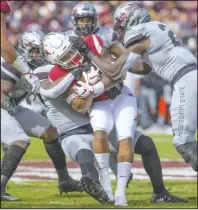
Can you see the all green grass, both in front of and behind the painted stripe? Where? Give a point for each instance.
(44, 194)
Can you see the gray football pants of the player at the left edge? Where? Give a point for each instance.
(25, 122)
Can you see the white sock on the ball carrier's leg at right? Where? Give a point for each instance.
(124, 169)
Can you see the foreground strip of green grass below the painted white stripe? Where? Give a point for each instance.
(45, 195)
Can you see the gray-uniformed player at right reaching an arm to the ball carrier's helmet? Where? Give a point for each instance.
(155, 44)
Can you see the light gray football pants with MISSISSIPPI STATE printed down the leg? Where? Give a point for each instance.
(184, 109)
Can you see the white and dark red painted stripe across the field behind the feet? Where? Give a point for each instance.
(43, 170)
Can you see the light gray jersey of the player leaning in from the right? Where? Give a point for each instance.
(165, 56)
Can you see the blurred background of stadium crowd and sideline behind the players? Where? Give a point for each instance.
(154, 94)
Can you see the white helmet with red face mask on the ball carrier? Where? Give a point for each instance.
(59, 50)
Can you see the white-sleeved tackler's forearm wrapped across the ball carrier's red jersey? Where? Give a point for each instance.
(55, 89)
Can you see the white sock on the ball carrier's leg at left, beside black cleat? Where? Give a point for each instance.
(103, 169)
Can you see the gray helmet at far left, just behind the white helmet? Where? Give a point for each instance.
(30, 47)
